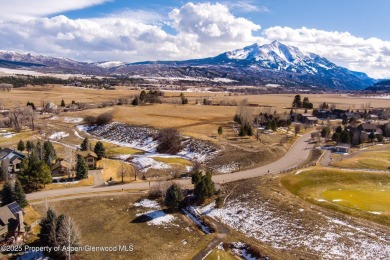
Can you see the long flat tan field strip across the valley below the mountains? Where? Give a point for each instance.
(55, 93)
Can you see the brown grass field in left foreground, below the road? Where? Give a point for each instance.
(107, 221)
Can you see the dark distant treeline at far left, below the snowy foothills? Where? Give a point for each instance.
(18, 82)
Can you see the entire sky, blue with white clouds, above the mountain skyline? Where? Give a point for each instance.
(353, 34)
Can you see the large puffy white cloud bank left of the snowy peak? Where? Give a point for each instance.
(201, 30)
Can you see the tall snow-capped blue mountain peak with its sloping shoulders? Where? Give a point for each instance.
(264, 64)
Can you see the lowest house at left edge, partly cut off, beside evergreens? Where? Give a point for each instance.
(11, 222)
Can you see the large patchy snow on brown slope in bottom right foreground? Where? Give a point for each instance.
(334, 239)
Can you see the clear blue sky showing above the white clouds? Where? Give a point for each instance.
(362, 18)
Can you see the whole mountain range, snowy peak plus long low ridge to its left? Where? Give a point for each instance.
(257, 65)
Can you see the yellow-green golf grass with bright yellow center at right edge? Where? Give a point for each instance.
(365, 194)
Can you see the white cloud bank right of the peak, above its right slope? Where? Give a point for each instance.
(369, 55)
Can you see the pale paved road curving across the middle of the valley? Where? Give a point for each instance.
(297, 154)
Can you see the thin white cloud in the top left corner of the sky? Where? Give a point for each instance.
(27, 9)
